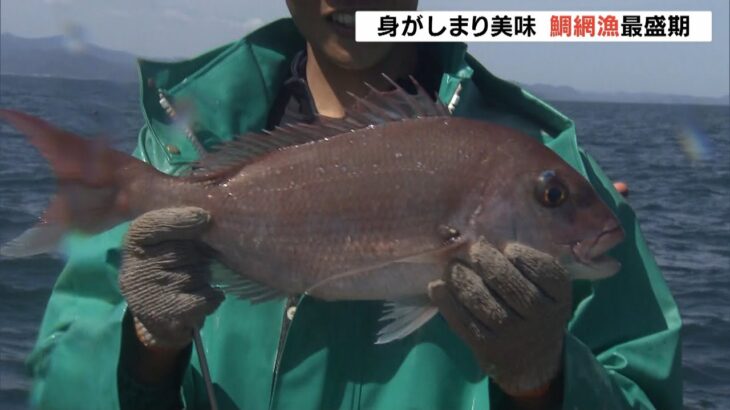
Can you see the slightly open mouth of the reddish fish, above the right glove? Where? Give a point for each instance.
(589, 259)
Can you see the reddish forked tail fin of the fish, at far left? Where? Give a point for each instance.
(91, 195)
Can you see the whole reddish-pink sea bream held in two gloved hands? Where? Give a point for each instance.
(372, 206)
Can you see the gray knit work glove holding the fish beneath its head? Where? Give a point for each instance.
(511, 309)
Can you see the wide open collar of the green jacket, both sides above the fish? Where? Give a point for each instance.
(221, 84)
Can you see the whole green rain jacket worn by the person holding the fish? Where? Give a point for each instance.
(622, 347)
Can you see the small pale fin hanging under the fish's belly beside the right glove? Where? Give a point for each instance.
(405, 317)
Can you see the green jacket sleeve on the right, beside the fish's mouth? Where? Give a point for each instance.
(623, 348)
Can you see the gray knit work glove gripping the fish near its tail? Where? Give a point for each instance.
(165, 276)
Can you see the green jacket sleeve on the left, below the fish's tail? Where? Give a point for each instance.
(78, 360)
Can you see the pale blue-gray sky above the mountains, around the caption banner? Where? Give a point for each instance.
(180, 28)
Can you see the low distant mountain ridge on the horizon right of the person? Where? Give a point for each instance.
(565, 93)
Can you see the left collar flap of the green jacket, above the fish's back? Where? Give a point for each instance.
(212, 95)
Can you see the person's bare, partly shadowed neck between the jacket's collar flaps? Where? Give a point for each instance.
(330, 83)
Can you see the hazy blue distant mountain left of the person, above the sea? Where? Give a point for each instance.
(55, 57)
